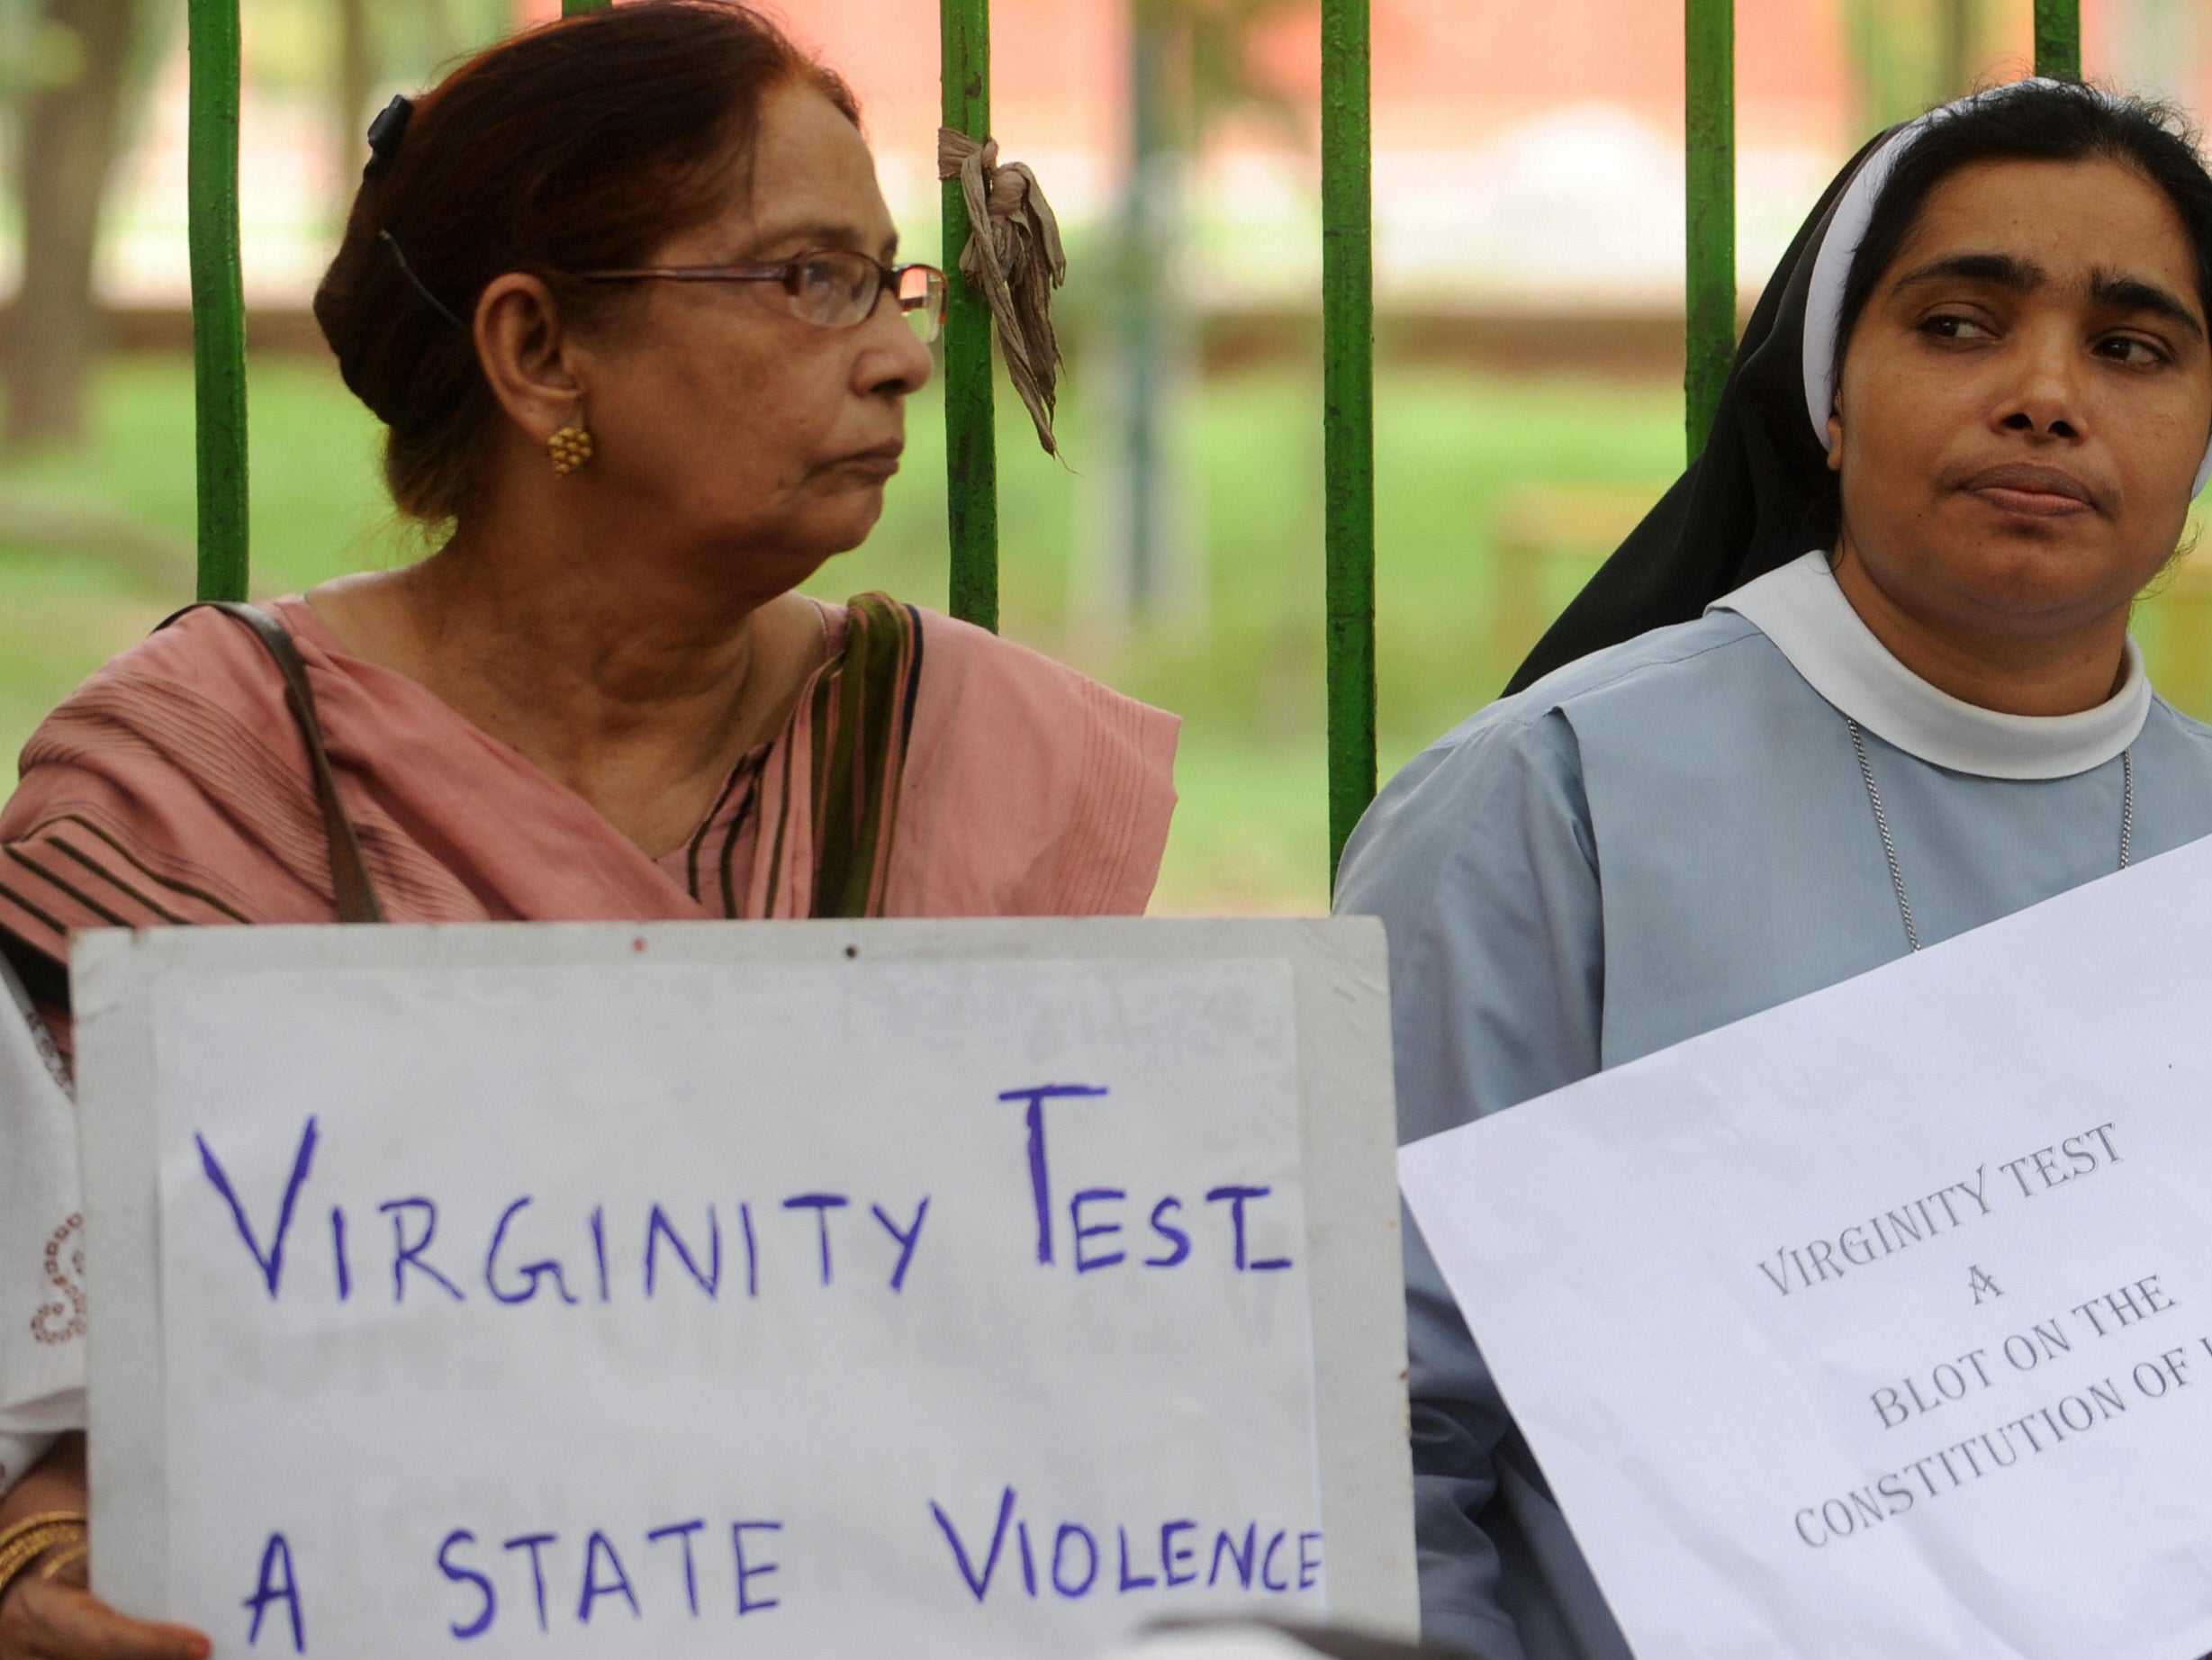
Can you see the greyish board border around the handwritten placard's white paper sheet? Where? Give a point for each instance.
(1348, 1148)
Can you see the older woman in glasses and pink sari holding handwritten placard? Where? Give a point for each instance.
(623, 293)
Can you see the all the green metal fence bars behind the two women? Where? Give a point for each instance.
(970, 452)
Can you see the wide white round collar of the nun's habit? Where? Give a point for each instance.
(1815, 627)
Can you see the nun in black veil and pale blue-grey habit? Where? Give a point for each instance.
(1861, 682)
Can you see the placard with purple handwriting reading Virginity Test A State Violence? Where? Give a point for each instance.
(742, 1290)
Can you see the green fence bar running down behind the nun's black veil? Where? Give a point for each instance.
(1709, 116)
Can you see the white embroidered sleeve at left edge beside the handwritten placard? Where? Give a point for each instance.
(41, 1241)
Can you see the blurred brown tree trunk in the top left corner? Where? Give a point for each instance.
(72, 132)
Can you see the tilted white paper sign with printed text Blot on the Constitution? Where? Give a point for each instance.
(1877, 1325)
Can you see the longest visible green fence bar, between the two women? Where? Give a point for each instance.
(1348, 434)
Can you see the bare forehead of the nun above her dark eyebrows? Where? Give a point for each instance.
(2065, 218)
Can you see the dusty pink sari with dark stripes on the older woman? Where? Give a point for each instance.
(928, 770)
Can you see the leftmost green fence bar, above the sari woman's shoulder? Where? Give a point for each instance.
(218, 297)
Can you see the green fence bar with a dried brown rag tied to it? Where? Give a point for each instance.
(970, 441)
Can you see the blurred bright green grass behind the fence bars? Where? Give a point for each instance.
(1242, 664)
